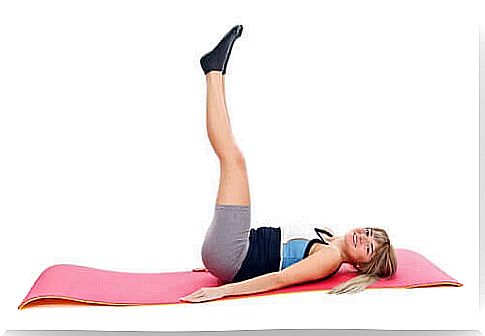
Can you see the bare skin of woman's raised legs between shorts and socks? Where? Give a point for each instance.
(233, 182)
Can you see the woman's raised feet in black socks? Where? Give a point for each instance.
(216, 60)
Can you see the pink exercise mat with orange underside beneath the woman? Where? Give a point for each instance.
(71, 283)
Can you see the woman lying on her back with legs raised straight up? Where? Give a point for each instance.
(252, 261)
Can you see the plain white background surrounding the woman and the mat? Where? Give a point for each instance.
(348, 113)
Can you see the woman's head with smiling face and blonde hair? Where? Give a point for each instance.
(370, 251)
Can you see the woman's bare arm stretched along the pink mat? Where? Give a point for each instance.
(314, 267)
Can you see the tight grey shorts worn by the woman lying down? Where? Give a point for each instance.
(227, 240)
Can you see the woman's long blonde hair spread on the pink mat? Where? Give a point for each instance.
(383, 264)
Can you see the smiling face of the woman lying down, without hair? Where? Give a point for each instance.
(360, 245)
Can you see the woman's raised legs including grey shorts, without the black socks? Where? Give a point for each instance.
(226, 243)
